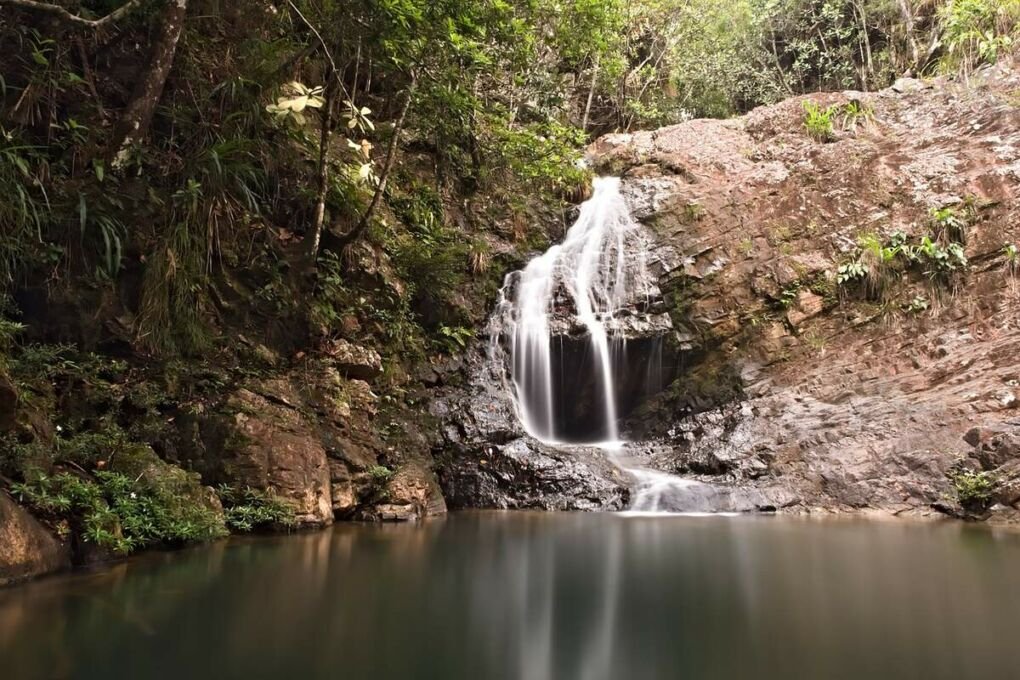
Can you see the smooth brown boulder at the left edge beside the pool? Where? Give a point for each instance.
(28, 548)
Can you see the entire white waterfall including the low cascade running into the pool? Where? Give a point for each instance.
(589, 290)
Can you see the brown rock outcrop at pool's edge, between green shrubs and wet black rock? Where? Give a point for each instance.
(308, 438)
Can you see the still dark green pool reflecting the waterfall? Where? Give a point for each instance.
(489, 596)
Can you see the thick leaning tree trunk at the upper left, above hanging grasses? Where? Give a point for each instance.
(135, 121)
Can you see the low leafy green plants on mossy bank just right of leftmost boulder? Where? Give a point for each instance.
(121, 513)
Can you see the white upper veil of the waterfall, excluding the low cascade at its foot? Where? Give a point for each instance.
(582, 288)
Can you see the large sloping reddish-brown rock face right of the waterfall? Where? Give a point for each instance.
(836, 401)
